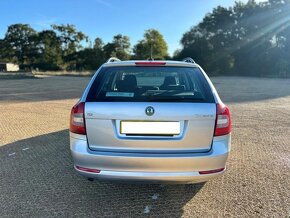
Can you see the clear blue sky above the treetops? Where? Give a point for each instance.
(106, 18)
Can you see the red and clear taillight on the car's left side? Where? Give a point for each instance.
(77, 119)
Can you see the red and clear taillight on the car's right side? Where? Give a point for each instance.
(223, 124)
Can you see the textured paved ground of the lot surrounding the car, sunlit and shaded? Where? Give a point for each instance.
(37, 178)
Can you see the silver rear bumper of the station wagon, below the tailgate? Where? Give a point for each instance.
(156, 168)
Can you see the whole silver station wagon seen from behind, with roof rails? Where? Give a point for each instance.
(150, 121)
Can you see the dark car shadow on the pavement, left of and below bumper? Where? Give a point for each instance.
(37, 179)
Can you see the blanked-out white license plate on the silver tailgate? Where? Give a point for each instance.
(150, 128)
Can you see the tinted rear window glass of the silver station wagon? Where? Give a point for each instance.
(150, 84)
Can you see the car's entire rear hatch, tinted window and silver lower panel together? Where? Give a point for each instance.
(137, 109)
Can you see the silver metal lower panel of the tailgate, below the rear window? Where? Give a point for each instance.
(106, 123)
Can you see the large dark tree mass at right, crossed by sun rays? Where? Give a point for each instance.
(247, 39)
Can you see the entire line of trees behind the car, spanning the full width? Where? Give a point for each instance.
(251, 39)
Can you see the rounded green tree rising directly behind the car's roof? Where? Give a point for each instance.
(153, 45)
